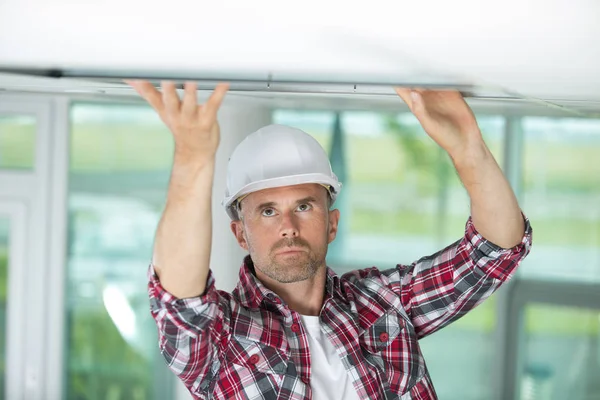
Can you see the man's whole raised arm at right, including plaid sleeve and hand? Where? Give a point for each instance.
(438, 289)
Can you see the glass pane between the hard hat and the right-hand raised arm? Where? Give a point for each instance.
(405, 198)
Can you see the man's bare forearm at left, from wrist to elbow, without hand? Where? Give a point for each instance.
(184, 234)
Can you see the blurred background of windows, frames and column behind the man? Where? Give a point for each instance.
(83, 183)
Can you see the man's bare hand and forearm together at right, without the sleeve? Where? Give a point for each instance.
(449, 121)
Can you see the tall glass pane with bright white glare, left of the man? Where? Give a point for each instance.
(120, 164)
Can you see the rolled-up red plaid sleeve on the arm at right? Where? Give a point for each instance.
(438, 289)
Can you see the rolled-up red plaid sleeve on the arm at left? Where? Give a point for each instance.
(190, 330)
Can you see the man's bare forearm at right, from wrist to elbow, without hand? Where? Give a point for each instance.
(494, 208)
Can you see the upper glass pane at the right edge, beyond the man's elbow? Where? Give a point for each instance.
(561, 194)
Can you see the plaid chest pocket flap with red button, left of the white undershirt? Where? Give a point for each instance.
(255, 357)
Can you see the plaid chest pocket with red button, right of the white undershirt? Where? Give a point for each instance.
(390, 344)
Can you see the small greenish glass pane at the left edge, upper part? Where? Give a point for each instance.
(17, 141)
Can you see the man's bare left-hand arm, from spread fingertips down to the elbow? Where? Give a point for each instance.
(183, 238)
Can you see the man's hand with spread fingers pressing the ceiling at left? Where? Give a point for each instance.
(194, 127)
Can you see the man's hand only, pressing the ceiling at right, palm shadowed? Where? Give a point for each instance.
(446, 118)
